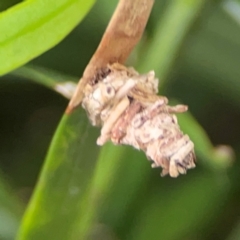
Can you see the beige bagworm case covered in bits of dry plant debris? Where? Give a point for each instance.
(126, 105)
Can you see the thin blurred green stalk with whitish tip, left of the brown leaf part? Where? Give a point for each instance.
(65, 85)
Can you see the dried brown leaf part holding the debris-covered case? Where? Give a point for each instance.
(122, 34)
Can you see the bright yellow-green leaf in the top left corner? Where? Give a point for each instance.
(30, 28)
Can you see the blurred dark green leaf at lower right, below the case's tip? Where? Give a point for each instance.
(174, 213)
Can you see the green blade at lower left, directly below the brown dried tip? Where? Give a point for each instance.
(54, 209)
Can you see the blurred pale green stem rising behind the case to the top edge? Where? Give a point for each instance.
(168, 36)
